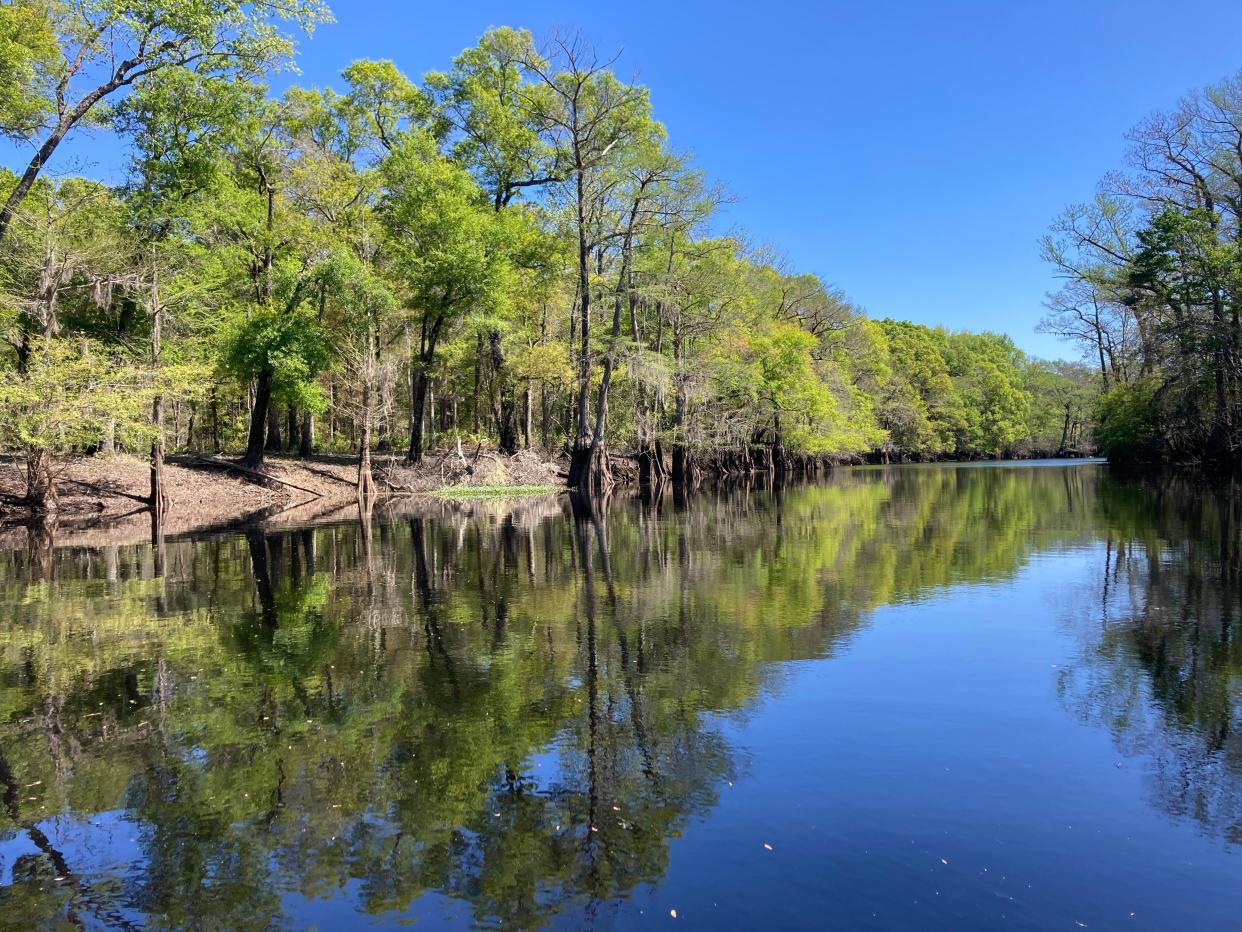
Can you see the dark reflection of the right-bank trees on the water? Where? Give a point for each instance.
(1162, 664)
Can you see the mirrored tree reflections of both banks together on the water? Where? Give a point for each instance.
(521, 708)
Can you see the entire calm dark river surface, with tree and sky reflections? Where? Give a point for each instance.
(917, 698)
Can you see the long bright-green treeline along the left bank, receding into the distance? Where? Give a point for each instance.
(507, 252)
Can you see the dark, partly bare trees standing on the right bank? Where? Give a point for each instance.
(1153, 273)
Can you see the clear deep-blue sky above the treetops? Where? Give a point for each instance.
(910, 153)
